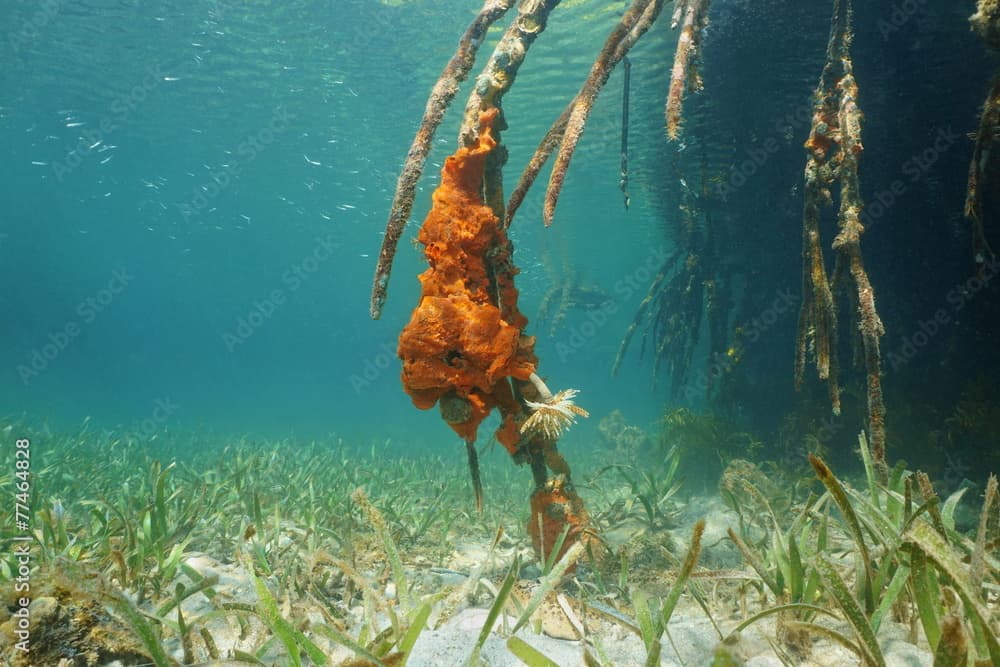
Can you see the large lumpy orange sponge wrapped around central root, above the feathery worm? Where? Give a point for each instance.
(459, 344)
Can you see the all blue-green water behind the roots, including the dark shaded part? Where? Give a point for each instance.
(179, 162)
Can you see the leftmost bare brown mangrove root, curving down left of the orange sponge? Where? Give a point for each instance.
(440, 99)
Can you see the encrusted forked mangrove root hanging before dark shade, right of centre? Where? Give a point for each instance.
(833, 150)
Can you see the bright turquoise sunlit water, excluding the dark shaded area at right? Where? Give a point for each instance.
(178, 164)
